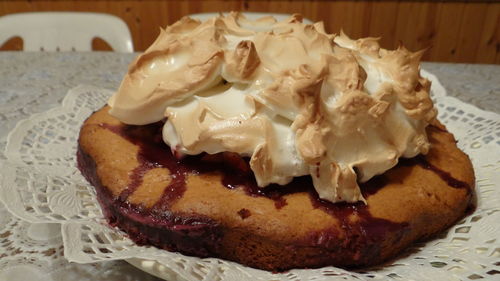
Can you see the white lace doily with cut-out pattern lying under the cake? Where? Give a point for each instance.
(40, 183)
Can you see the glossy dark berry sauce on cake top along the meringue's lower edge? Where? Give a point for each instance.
(154, 153)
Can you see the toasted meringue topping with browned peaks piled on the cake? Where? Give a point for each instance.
(296, 100)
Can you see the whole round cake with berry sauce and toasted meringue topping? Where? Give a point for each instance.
(275, 145)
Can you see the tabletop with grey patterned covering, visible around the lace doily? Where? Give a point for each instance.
(35, 82)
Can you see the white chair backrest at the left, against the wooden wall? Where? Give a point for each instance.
(65, 31)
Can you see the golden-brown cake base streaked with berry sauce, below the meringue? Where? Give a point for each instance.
(210, 206)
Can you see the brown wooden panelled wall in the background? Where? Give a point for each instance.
(453, 31)
